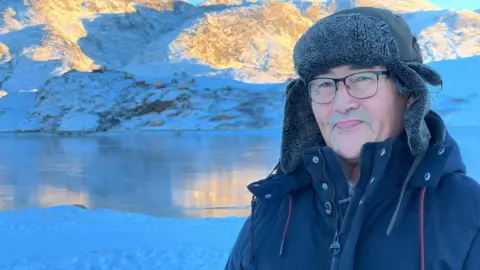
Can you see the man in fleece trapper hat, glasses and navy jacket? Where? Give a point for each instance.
(368, 177)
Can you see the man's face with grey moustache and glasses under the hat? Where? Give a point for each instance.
(348, 122)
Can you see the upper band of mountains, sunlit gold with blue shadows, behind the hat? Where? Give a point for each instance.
(245, 40)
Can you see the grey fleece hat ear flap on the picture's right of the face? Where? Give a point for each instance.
(413, 79)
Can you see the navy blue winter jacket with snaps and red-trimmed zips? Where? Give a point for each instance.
(405, 213)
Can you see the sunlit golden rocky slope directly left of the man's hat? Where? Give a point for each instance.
(255, 41)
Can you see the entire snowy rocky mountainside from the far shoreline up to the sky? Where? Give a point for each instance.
(136, 50)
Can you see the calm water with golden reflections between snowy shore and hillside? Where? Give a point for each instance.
(193, 175)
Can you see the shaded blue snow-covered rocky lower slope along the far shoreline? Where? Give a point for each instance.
(112, 100)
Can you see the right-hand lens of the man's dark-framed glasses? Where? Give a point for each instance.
(362, 85)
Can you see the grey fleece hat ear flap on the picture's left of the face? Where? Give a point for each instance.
(300, 129)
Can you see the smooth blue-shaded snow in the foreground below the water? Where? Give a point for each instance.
(69, 237)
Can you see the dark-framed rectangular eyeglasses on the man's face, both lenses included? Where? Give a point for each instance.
(359, 85)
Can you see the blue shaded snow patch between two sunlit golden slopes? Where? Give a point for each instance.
(136, 42)
